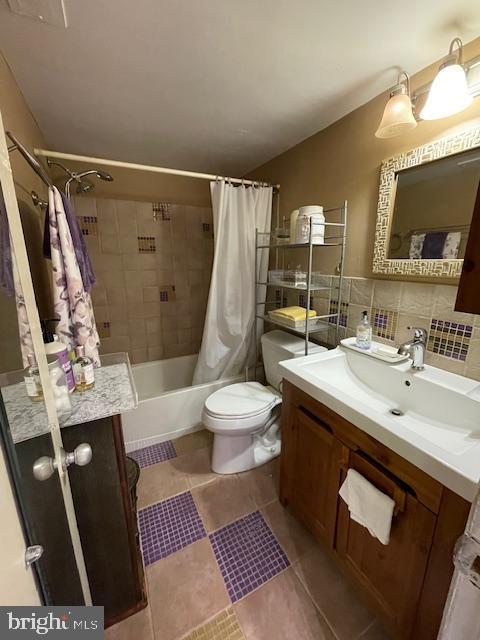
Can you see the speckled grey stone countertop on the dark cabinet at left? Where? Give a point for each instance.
(114, 393)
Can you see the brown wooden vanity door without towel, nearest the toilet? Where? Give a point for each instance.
(311, 472)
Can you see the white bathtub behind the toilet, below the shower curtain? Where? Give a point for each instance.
(168, 405)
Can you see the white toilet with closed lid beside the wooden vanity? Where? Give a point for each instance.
(245, 417)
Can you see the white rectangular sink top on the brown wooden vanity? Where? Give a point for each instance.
(438, 428)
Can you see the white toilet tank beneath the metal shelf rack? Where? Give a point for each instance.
(279, 345)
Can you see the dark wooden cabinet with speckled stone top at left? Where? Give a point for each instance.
(103, 491)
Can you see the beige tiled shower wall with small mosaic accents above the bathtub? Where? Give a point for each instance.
(153, 263)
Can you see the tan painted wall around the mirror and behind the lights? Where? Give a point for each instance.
(343, 161)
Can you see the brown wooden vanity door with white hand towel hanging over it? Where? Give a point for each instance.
(391, 576)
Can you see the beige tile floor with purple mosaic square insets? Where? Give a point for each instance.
(217, 572)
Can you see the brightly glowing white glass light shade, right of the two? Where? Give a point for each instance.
(448, 94)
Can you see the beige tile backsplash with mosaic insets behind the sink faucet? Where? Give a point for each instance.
(454, 337)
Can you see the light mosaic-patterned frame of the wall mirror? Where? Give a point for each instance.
(433, 268)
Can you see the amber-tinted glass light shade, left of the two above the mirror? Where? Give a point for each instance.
(398, 113)
